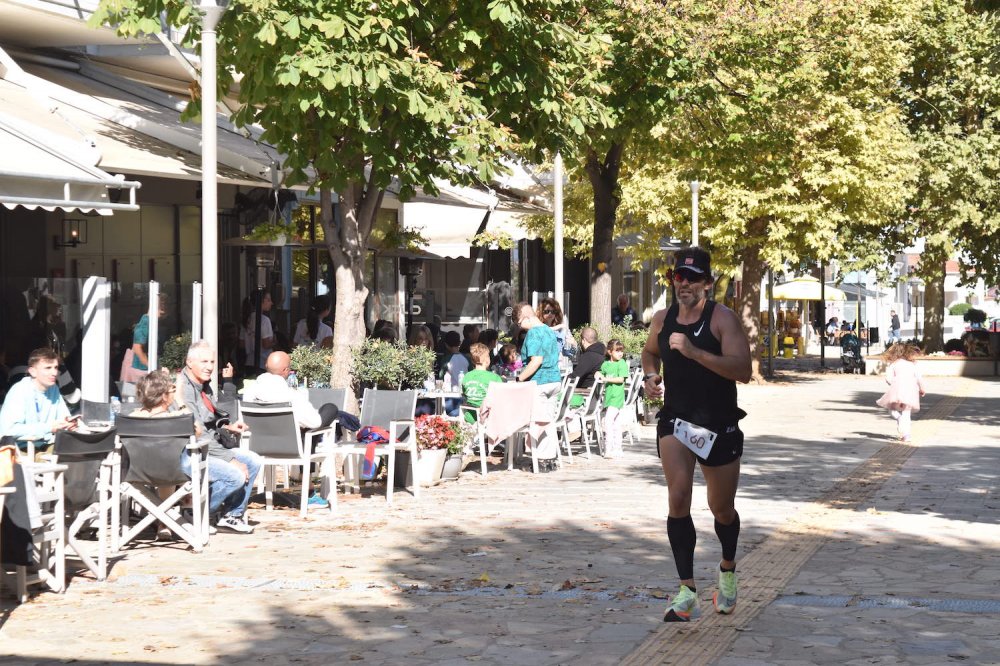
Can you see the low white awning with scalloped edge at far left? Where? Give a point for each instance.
(40, 170)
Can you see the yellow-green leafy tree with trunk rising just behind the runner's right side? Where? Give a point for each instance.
(792, 129)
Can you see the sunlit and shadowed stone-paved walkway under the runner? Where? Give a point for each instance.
(854, 550)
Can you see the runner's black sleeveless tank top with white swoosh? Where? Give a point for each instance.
(690, 390)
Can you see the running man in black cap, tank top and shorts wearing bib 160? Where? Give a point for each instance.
(703, 352)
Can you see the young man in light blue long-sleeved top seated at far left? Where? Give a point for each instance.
(33, 409)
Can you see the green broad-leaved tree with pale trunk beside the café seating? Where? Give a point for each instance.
(362, 96)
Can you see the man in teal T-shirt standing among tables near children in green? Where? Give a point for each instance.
(540, 352)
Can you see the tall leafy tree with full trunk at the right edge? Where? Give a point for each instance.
(951, 94)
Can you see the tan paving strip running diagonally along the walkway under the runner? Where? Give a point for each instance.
(769, 567)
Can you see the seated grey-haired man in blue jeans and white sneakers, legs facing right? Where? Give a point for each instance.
(231, 482)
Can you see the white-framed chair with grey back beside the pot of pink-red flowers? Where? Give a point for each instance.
(393, 411)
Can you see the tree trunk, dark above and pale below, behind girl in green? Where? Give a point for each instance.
(603, 176)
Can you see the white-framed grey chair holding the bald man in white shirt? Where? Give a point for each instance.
(276, 437)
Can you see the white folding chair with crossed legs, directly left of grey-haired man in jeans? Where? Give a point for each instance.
(148, 456)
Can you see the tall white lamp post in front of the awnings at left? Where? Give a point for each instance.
(211, 11)
